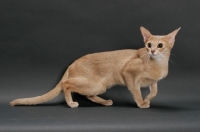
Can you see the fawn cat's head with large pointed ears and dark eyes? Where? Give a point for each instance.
(157, 46)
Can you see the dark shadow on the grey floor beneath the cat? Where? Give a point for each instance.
(126, 103)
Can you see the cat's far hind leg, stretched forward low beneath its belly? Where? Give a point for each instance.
(99, 100)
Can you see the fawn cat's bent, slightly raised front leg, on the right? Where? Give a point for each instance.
(152, 94)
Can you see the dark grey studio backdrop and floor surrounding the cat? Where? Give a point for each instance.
(40, 38)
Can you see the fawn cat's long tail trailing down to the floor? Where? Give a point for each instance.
(39, 99)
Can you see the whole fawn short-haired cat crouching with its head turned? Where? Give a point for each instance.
(92, 74)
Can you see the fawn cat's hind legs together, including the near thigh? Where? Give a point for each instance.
(82, 86)
